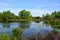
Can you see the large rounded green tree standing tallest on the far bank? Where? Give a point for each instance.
(25, 15)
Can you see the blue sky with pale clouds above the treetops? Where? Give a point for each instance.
(36, 7)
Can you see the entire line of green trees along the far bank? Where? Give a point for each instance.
(25, 15)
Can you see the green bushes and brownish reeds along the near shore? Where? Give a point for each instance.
(18, 32)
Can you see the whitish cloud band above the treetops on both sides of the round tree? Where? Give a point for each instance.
(34, 12)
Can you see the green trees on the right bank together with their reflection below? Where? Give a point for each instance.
(52, 19)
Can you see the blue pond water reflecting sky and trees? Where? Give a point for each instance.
(30, 28)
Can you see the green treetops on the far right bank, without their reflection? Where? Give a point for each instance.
(54, 15)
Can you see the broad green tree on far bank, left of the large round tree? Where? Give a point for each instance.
(7, 15)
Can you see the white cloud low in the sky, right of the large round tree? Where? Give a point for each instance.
(36, 12)
